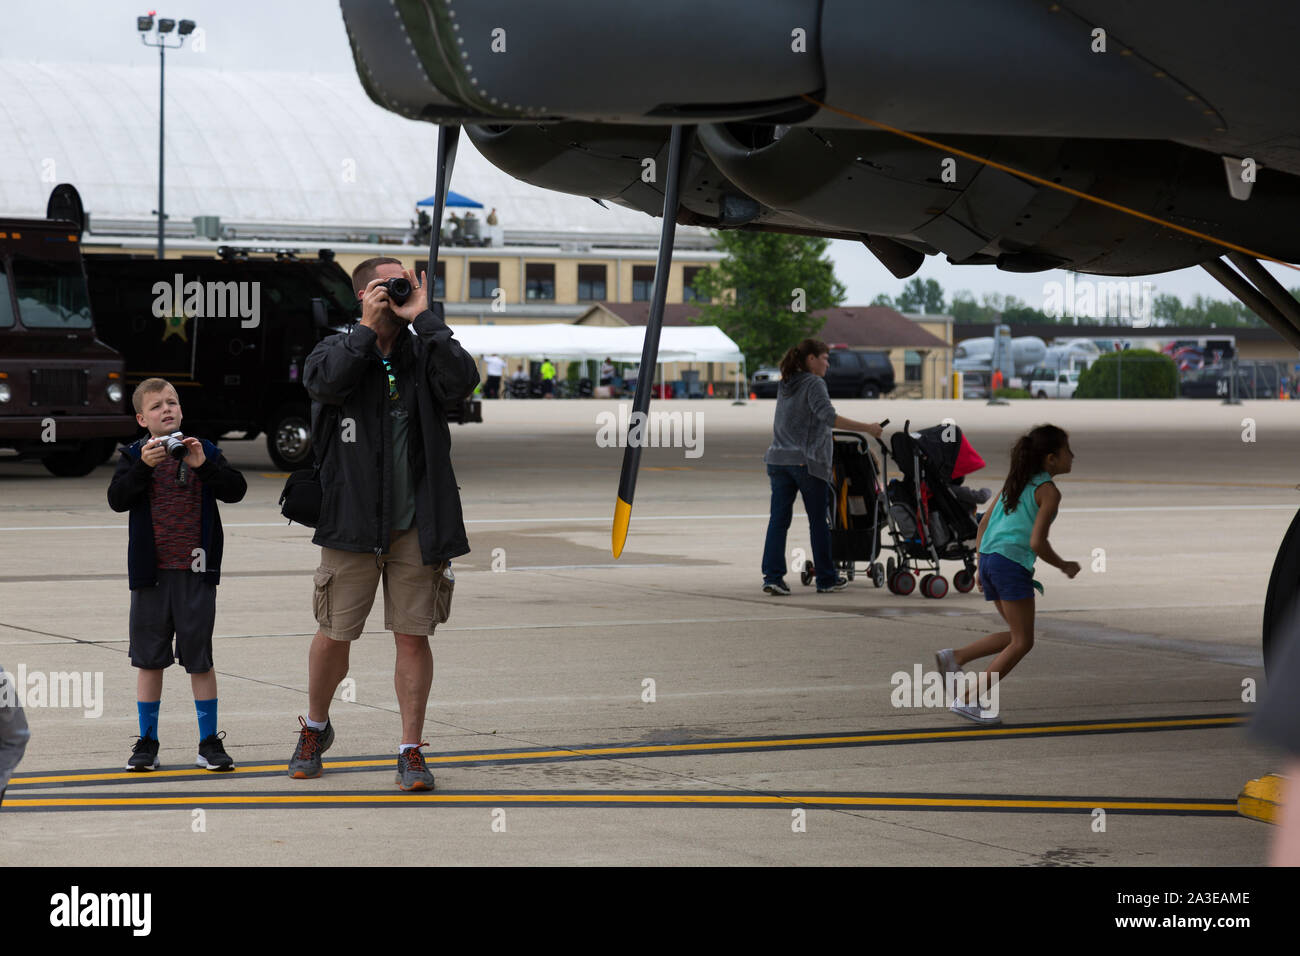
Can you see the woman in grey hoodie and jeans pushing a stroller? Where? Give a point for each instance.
(799, 462)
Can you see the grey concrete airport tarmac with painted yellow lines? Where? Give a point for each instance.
(772, 737)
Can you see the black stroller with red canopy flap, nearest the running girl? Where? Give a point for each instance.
(926, 521)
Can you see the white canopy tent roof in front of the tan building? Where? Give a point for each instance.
(573, 343)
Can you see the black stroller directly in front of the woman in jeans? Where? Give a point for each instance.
(857, 511)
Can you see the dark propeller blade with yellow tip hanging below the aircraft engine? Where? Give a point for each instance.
(651, 351)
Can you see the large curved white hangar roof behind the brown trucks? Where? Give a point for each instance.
(252, 148)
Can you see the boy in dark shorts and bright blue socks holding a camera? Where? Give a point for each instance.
(171, 485)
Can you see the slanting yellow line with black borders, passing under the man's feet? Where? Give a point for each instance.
(709, 747)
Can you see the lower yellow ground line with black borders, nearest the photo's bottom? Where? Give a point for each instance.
(656, 799)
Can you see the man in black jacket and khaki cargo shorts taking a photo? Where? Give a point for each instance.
(391, 508)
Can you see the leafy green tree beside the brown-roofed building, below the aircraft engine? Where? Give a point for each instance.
(779, 283)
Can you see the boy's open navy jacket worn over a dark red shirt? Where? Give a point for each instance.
(131, 492)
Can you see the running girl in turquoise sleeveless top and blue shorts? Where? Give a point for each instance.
(1013, 534)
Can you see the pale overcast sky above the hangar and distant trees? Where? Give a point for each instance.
(307, 36)
